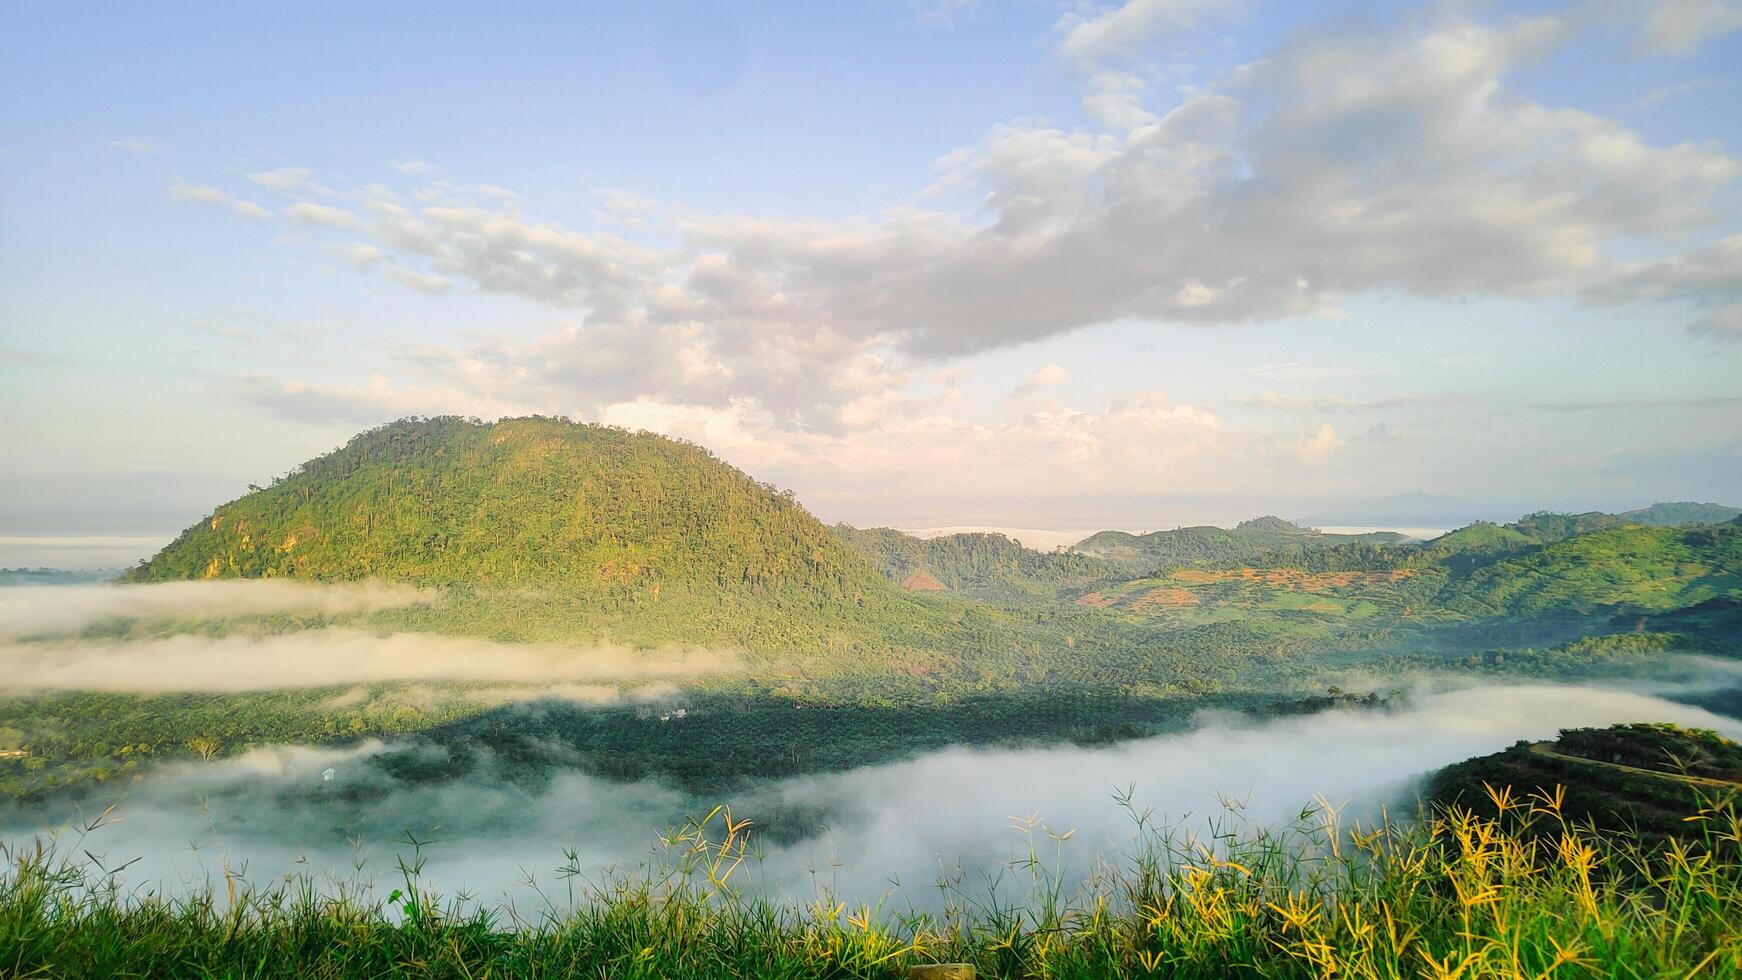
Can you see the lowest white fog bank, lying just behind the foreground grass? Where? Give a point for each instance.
(273, 812)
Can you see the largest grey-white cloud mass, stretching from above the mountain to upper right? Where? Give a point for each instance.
(1393, 158)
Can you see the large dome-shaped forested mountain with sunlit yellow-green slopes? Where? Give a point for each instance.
(551, 530)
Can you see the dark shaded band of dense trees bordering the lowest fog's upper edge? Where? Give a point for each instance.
(781, 737)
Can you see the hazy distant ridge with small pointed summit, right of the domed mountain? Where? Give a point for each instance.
(1257, 540)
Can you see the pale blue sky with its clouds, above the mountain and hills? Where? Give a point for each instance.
(926, 264)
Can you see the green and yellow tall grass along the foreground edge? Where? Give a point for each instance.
(1450, 896)
